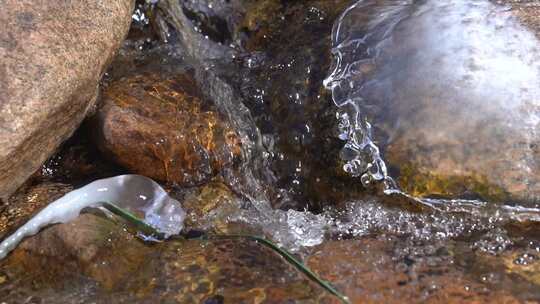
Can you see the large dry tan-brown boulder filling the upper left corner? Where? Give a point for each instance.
(53, 55)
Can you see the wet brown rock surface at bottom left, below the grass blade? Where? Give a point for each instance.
(94, 259)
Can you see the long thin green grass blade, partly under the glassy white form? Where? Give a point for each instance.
(145, 228)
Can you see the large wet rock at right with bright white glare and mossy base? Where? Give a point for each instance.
(452, 92)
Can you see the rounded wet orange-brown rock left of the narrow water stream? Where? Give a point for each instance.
(161, 128)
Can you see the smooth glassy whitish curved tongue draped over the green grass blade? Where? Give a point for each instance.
(135, 193)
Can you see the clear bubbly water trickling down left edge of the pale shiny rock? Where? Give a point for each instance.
(352, 57)
